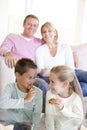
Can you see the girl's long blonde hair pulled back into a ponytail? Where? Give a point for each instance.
(66, 73)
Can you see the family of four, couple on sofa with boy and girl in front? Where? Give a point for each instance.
(47, 65)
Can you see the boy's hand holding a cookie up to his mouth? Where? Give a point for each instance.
(30, 95)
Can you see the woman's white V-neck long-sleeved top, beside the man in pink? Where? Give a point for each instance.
(63, 56)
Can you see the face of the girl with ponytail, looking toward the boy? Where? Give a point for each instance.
(57, 86)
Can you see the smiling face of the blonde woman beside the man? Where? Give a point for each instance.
(48, 34)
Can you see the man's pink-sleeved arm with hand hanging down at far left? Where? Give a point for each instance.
(6, 51)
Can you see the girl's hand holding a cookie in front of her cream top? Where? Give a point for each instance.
(57, 102)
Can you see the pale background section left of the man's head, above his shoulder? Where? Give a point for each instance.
(12, 13)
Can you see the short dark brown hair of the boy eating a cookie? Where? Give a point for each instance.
(23, 65)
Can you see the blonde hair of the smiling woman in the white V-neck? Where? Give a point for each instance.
(50, 26)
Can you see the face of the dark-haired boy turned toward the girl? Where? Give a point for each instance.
(25, 80)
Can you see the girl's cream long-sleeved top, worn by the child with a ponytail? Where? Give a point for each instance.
(70, 116)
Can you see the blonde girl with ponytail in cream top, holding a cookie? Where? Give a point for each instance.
(64, 100)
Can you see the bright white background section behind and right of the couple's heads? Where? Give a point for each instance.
(62, 13)
